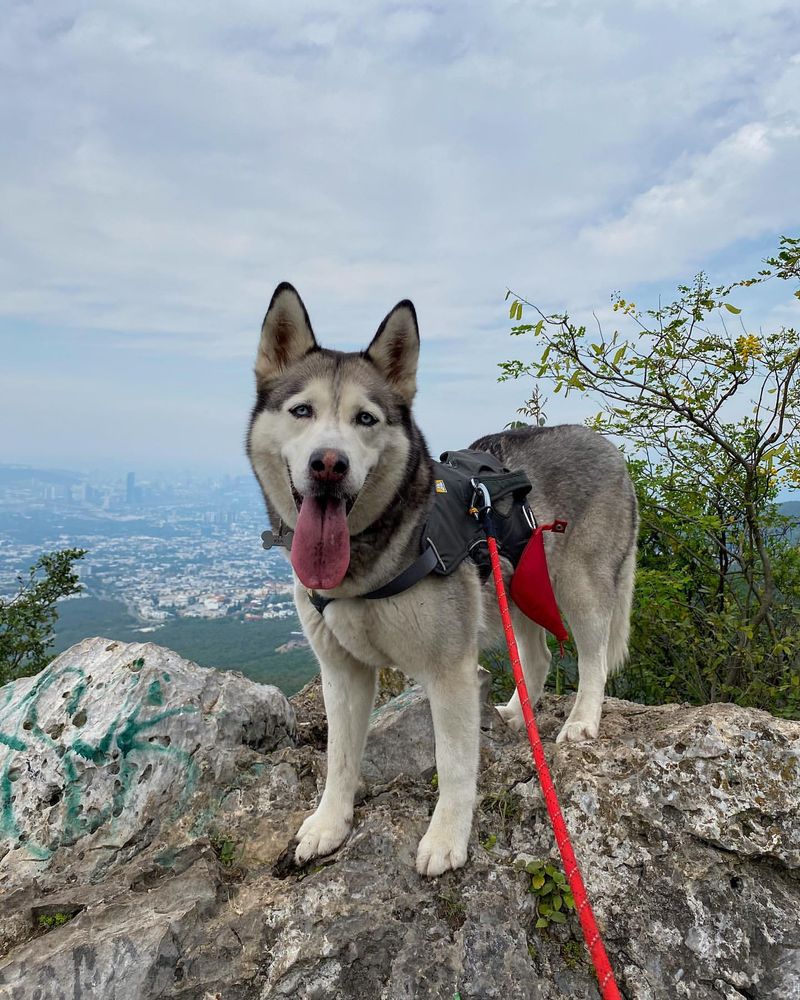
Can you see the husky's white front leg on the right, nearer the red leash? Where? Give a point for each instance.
(453, 692)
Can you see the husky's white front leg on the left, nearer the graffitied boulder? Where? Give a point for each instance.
(348, 688)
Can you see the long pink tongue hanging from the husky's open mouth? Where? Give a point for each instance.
(321, 543)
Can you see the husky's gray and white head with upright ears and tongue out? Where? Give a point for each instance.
(328, 437)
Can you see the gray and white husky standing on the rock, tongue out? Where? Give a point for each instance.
(344, 467)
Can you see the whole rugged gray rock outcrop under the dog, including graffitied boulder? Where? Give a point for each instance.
(685, 822)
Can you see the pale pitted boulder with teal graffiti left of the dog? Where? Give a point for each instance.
(111, 742)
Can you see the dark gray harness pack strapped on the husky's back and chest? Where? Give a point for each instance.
(453, 532)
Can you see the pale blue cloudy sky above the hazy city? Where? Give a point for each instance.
(164, 165)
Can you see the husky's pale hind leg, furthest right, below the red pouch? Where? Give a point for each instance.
(588, 608)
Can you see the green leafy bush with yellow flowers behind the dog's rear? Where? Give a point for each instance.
(707, 413)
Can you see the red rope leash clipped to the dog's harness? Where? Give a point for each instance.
(591, 933)
